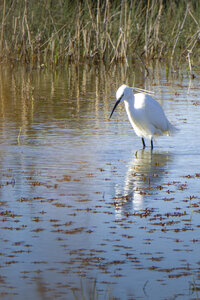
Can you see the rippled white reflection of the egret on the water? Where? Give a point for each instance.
(144, 175)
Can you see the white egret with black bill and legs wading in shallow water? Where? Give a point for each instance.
(144, 113)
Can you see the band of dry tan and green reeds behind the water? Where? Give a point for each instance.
(56, 31)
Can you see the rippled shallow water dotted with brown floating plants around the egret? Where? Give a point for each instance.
(83, 209)
